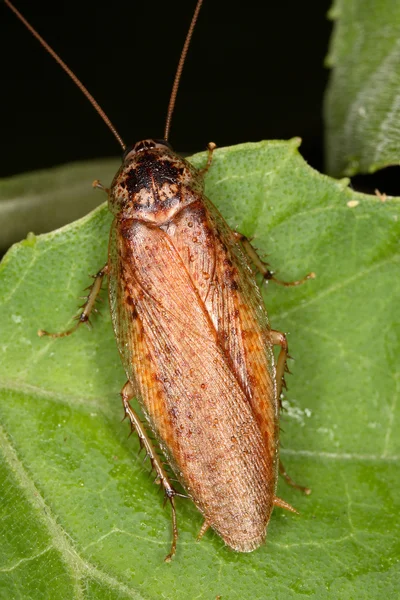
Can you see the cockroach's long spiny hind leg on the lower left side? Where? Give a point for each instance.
(127, 393)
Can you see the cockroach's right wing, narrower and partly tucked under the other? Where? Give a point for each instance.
(225, 282)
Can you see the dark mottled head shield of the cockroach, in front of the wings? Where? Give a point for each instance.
(153, 183)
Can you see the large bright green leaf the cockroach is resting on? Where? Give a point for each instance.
(80, 517)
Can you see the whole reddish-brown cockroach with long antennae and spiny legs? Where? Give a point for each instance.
(193, 335)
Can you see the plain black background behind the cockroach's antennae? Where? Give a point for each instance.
(254, 71)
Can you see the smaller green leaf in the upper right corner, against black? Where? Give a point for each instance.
(362, 104)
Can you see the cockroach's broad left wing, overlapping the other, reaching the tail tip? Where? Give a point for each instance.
(183, 377)
